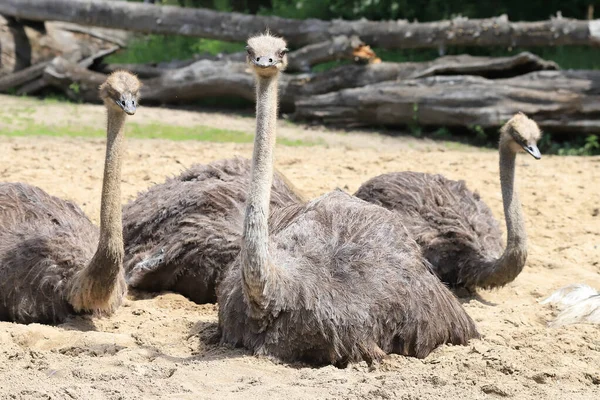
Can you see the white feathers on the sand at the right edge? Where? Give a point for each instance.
(577, 304)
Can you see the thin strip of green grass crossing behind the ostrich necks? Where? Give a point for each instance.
(149, 131)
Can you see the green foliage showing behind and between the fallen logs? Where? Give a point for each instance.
(157, 48)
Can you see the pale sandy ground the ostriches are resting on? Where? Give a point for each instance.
(157, 347)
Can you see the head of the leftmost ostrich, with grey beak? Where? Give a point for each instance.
(120, 92)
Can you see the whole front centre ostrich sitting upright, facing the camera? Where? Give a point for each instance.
(335, 280)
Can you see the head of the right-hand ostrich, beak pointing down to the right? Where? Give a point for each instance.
(520, 134)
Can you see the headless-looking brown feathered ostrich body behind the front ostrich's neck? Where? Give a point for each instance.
(181, 234)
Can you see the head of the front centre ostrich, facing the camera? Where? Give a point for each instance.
(267, 54)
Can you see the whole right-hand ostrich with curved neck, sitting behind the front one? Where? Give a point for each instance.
(456, 230)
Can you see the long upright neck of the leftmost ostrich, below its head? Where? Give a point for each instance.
(109, 255)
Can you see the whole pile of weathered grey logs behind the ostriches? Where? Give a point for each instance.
(451, 91)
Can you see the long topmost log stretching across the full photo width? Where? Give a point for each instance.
(147, 18)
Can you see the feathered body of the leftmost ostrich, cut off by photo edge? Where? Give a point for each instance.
(44, 241)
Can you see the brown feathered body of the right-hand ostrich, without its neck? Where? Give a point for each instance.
(454, 227)
